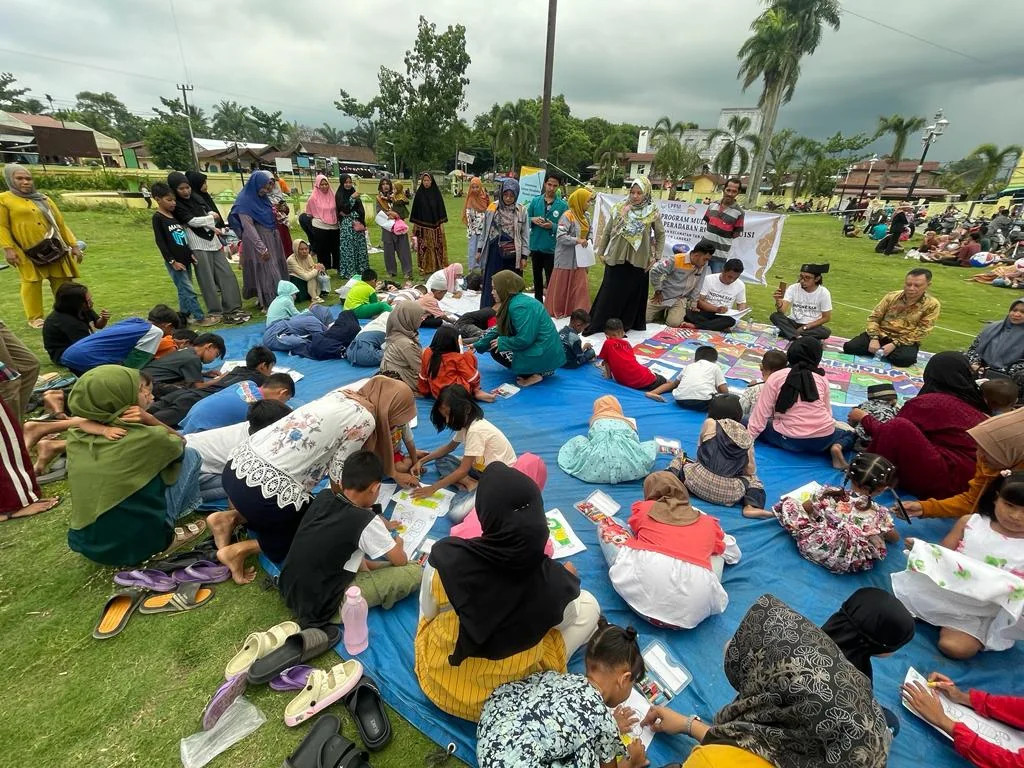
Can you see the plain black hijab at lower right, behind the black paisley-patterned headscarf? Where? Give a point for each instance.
(870, 623)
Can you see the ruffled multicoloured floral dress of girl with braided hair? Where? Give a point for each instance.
(842, 533)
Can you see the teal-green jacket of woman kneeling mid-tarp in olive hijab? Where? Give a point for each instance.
(535, 347)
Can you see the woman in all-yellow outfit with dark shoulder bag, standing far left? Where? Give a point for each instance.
(27, 218)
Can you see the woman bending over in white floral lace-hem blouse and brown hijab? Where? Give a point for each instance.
(271, 478)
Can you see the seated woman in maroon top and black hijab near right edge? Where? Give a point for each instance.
(928, 440)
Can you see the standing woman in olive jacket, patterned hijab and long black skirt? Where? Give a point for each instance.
(629, 244)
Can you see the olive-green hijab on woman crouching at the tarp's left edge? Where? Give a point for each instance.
(103, 474)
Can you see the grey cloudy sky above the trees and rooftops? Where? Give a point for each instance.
(631, 61)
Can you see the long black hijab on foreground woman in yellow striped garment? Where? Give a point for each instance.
(506, 592)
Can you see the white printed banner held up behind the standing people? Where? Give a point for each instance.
(685, 225)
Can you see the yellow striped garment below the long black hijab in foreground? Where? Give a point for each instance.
(462, 691)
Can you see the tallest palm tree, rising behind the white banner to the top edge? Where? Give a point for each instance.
(785, 33)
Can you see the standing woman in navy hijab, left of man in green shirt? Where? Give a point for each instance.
(504, 243)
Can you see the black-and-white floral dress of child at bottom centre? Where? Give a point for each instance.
(548, 719)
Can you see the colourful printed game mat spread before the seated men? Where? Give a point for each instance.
(740, 357)
